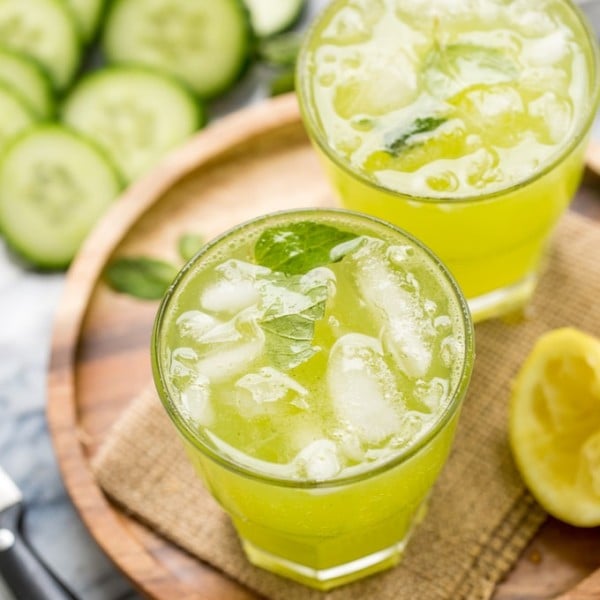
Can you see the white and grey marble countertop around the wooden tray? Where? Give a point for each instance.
(27, 304)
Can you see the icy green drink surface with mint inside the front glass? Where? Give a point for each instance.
(322, 373)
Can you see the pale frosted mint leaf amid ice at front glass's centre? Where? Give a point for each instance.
(292, 305)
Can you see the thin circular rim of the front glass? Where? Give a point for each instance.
(199, 443)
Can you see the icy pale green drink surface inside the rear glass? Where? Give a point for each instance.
(447, 98)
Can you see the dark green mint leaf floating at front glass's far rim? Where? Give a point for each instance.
(299, 247)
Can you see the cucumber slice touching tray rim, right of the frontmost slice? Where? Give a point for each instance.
(135, 114)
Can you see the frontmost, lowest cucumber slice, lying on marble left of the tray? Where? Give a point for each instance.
(54, 185)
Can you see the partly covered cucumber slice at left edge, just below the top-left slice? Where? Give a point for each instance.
(26, 77)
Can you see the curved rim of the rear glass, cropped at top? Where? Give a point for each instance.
(591, 50)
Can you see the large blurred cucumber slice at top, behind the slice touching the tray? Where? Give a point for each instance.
(205, 43)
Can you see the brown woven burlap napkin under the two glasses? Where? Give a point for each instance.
(480, 517)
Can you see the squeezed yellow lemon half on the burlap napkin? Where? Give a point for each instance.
(554, 425)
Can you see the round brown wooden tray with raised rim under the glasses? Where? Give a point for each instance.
(252, 162)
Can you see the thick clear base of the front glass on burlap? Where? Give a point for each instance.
(328, 578)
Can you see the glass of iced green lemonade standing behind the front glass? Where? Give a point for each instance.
(463, 122)
